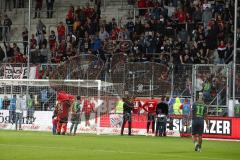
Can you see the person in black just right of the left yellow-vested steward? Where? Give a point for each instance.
(127, 114)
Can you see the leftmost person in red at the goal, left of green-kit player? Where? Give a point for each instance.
(63, 116)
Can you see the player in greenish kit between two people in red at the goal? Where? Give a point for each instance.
(75, 115)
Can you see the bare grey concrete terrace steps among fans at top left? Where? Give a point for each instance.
(112, 9)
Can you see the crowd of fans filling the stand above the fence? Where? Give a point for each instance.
(180, 32)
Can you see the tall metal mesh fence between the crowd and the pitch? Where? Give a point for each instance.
(139, 79)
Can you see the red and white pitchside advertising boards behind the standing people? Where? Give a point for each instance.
(220, 127)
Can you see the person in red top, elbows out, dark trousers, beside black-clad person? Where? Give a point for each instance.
(150, 107)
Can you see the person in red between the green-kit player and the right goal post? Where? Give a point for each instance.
(88, 107)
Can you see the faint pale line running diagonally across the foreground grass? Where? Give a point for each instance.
(110, 151)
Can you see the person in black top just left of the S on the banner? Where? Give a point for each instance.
(161, 114)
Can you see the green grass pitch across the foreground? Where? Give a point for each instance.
(24, 145)
